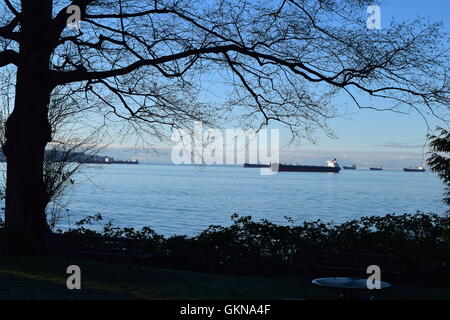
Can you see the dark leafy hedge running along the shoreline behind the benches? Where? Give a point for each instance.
(421, 240)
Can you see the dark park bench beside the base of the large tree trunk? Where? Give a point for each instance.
(117, 249)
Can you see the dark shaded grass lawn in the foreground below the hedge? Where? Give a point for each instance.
(45, 278)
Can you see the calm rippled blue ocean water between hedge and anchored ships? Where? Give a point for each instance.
(187, 199)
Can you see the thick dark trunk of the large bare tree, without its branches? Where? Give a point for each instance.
(28, 130)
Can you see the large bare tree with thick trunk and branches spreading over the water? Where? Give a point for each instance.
(145, 62)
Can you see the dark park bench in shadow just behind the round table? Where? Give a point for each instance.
(337, 263)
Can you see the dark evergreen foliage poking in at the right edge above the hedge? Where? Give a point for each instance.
(439, 161)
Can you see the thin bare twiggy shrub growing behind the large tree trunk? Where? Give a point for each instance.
(61, 159)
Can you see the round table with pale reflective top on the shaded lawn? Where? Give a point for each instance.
(351, 287)
